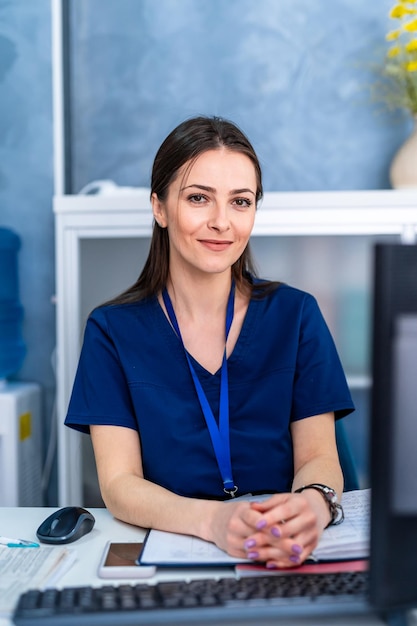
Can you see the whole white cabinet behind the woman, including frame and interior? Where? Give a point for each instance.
(318, 241)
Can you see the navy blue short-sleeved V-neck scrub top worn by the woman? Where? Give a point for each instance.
(133, 372)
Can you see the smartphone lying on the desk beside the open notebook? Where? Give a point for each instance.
(121, 560)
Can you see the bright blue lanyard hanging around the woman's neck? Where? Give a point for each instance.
(219, 433)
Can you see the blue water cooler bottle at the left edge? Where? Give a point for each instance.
(12, 346)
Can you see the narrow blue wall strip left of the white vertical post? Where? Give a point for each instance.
(26, 176)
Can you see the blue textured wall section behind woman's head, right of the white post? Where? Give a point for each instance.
(294, 74)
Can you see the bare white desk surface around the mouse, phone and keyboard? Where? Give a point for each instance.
(23, 522)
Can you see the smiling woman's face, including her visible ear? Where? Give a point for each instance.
(209, 212)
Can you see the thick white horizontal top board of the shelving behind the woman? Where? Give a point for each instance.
(280, 213)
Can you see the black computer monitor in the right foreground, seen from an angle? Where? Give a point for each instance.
(393, 437)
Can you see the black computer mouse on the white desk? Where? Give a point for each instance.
(66, 525)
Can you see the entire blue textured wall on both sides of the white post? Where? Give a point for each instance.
(292, 73)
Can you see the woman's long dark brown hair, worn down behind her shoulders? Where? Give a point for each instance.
(183, 145)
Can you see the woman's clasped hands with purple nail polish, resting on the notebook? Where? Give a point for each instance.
(281, 531)
